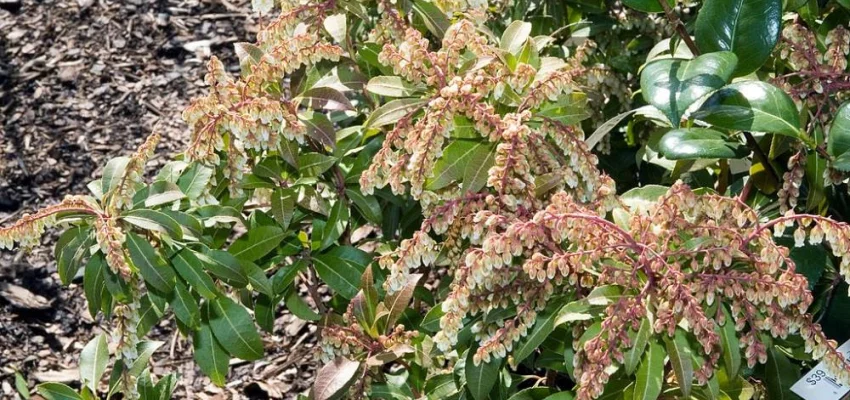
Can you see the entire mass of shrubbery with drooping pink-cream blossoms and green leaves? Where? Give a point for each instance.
(428, 163)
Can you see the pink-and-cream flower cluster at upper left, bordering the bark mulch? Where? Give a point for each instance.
(247, 114)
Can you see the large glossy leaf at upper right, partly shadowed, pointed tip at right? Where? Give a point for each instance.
(752, 106)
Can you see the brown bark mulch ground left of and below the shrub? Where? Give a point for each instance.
(82, 81)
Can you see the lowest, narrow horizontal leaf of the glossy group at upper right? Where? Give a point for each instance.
(697, 143)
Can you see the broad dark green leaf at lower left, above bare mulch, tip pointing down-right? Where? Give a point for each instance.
(234, 329)
